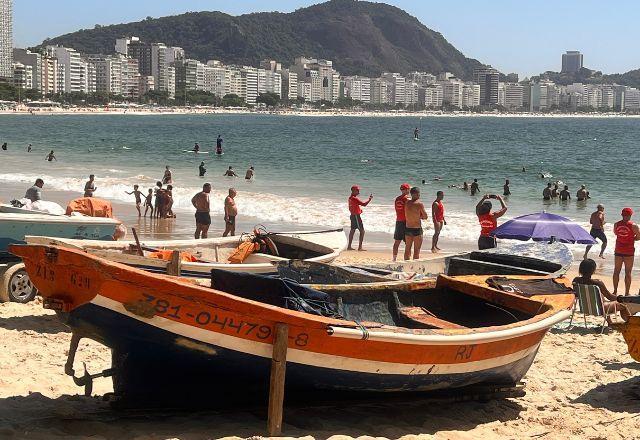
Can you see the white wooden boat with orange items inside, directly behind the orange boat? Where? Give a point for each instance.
(213, 253)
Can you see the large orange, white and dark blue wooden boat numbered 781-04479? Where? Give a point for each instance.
(172, 337)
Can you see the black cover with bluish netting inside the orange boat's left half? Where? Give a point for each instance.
(274, 291)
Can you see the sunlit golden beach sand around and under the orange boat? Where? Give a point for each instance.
(582, 385)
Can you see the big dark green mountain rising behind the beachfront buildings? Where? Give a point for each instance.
(360, 37)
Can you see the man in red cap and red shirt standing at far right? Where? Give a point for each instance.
(627, 233)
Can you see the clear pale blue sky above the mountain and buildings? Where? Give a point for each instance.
(527, 37)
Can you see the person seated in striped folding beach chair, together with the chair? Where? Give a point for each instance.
(594, 297)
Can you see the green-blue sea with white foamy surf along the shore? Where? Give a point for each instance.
(305, 165)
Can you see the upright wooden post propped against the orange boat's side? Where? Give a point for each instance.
(276, 383)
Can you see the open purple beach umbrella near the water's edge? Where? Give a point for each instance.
(541, 226)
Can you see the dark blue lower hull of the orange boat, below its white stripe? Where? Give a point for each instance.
(153, 364)
